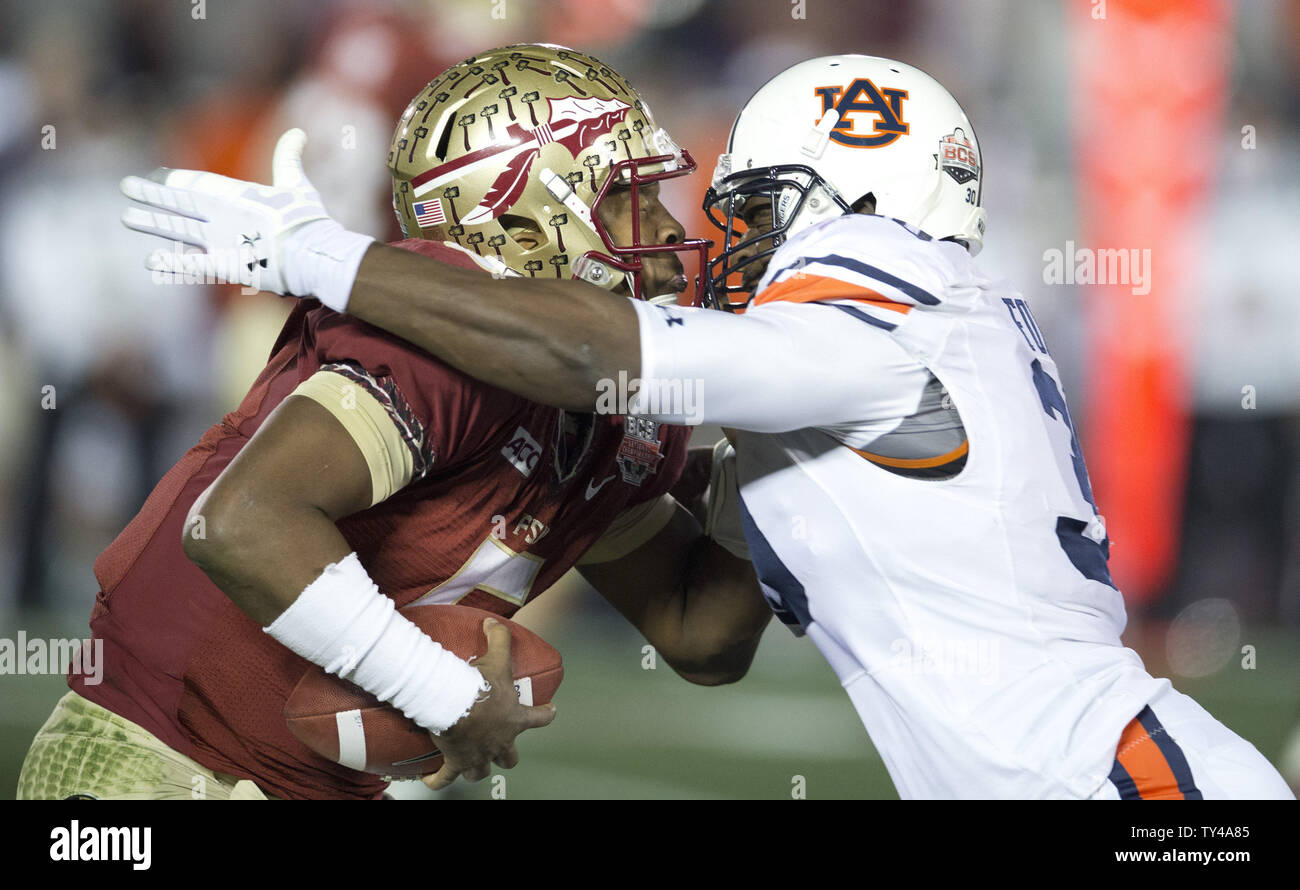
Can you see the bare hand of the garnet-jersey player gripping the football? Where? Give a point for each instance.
(487, 735)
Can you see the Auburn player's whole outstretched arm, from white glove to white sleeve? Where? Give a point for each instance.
(553, 342)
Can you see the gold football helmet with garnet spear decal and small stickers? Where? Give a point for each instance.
(531, 138)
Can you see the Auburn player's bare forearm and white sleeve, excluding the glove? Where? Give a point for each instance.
(564, 342)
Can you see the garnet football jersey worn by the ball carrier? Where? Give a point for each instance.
(483, 500)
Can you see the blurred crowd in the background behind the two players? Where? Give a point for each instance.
(109, 379)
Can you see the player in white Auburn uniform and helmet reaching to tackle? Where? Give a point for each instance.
(911, 485)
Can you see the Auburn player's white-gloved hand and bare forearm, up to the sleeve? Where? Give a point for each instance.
(545, 341)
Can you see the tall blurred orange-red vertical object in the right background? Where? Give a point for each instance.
(1150, 85)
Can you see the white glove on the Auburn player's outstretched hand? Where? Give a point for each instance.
(276, 238)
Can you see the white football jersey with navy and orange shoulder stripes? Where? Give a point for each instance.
(972, 619)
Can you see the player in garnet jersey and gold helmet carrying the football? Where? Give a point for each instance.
(362, 475)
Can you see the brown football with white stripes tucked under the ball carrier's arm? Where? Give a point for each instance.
(348, 726)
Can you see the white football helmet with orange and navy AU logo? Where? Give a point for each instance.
(827, 133)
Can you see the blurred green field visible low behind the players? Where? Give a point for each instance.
(627, 732)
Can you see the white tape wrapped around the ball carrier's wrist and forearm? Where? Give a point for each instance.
(343, 623)
